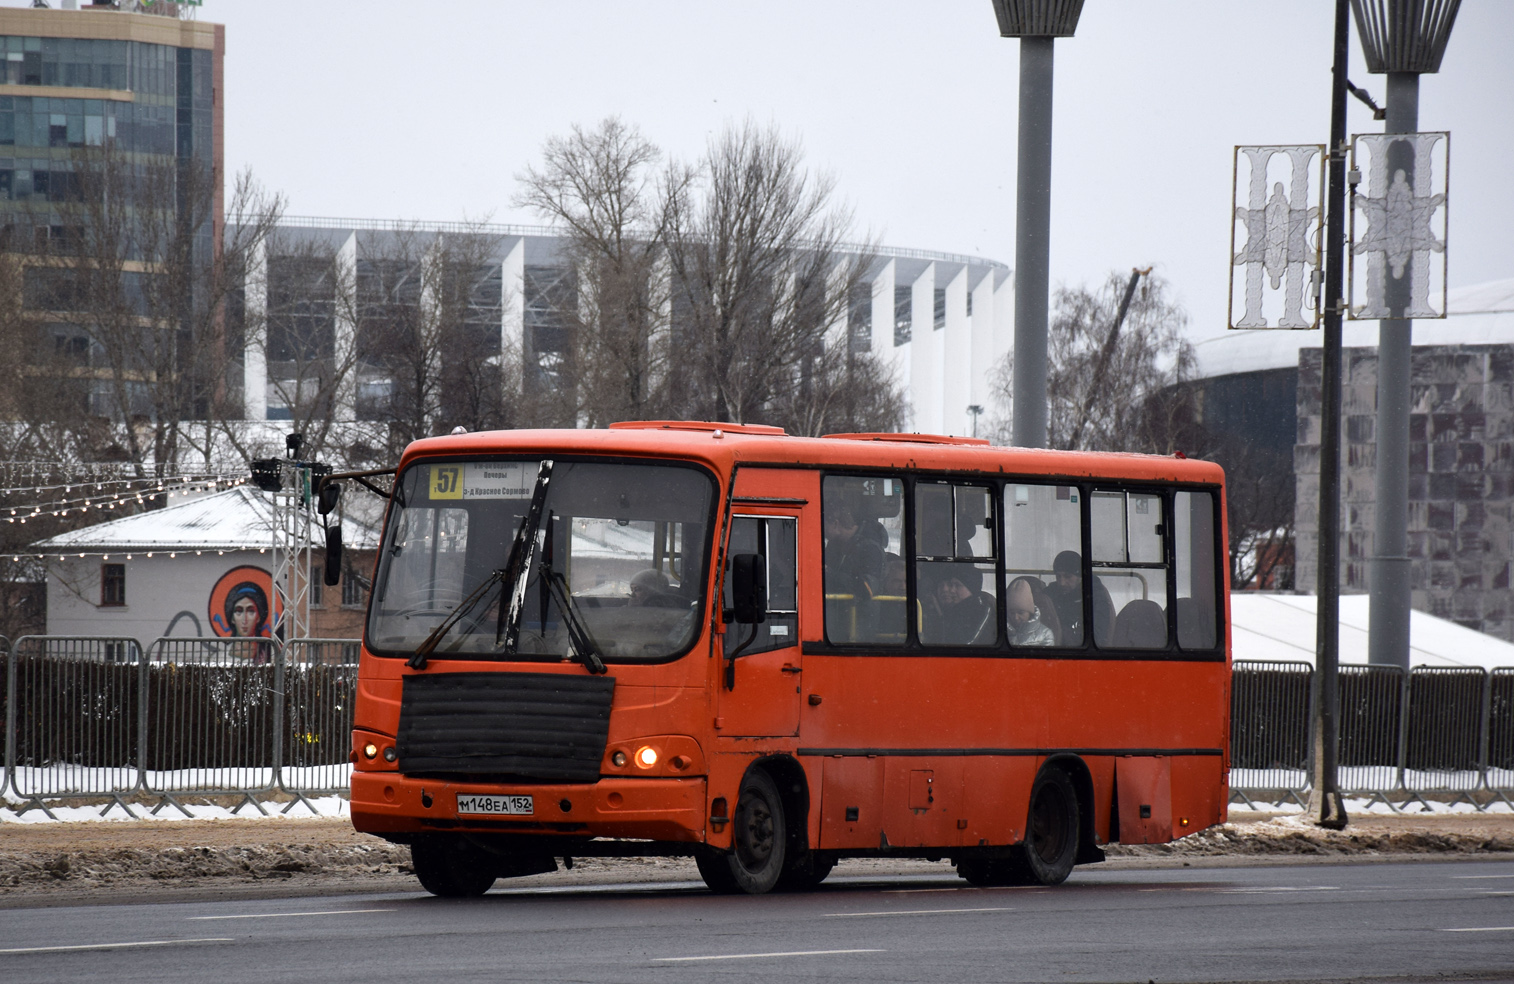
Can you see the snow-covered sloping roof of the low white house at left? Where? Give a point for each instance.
(238, 518)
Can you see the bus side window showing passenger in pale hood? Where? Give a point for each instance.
(1044, 550)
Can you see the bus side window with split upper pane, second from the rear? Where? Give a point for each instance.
(1130, 579)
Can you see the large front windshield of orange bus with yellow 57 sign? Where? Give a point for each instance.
(625, 544)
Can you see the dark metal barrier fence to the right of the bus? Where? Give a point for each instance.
(1436, 730)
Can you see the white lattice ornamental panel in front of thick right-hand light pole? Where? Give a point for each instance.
(1398, 226)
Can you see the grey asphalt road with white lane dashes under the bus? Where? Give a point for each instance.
(1395, 921)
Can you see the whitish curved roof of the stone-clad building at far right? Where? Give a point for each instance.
(1481, 314)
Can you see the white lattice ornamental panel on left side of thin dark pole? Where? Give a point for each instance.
(1279, 199)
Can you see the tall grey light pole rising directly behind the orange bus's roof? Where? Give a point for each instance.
(1038, 25)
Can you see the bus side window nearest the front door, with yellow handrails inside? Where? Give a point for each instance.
(865, 578)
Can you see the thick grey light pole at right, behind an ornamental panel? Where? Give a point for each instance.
(1401, 39)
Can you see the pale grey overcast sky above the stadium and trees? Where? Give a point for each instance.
(426, 111)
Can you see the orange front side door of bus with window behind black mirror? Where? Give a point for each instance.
(761, 665)
